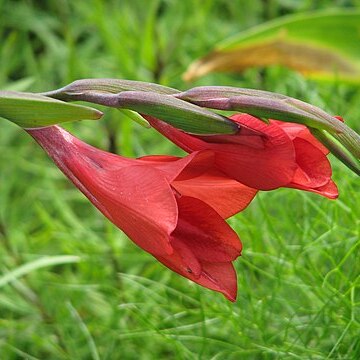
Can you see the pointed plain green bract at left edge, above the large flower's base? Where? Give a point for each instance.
(31, 110)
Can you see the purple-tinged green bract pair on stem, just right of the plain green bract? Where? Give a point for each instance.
(149, 99)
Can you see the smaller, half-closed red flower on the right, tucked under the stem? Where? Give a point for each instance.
(282, 154)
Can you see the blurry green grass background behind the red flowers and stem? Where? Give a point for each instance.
(72, 286)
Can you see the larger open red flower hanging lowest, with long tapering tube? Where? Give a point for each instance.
(173, 208)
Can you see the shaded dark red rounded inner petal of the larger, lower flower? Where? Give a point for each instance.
(202, 229)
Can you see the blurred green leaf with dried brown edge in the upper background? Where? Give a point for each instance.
(322, 45)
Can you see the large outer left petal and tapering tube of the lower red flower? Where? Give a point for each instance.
(136, 198)
